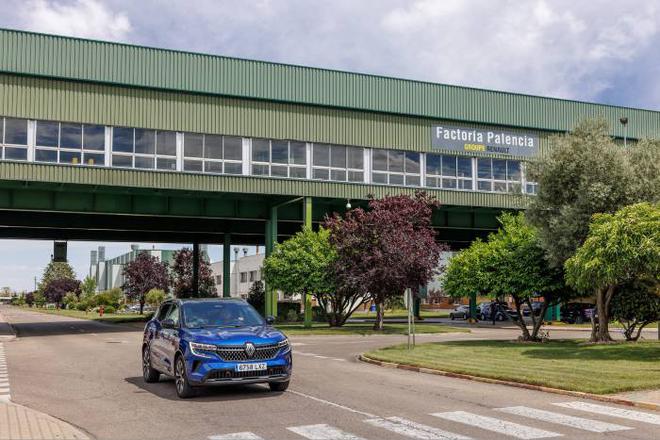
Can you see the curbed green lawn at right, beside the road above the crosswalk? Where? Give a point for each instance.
(569, 365)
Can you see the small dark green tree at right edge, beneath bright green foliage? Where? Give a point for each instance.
(635, 306)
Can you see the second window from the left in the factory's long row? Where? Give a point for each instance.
(68, 143)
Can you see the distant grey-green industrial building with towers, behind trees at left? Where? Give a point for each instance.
(108, 273)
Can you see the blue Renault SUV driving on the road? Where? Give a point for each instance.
(216, 341)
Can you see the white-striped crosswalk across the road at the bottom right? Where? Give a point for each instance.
(484, 425)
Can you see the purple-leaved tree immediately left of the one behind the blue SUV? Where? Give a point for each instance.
(141, 275)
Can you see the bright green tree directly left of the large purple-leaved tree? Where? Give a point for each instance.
(304, 264)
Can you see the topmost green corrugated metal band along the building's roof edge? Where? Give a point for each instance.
(69, 58)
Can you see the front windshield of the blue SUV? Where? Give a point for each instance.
(220, 314)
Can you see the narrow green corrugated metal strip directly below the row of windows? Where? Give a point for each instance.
(113, 177)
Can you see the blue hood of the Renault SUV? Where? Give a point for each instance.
(236, 336)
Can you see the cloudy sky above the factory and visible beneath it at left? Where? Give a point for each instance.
(595, 50)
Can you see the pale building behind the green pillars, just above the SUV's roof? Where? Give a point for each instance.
(244, 271)
